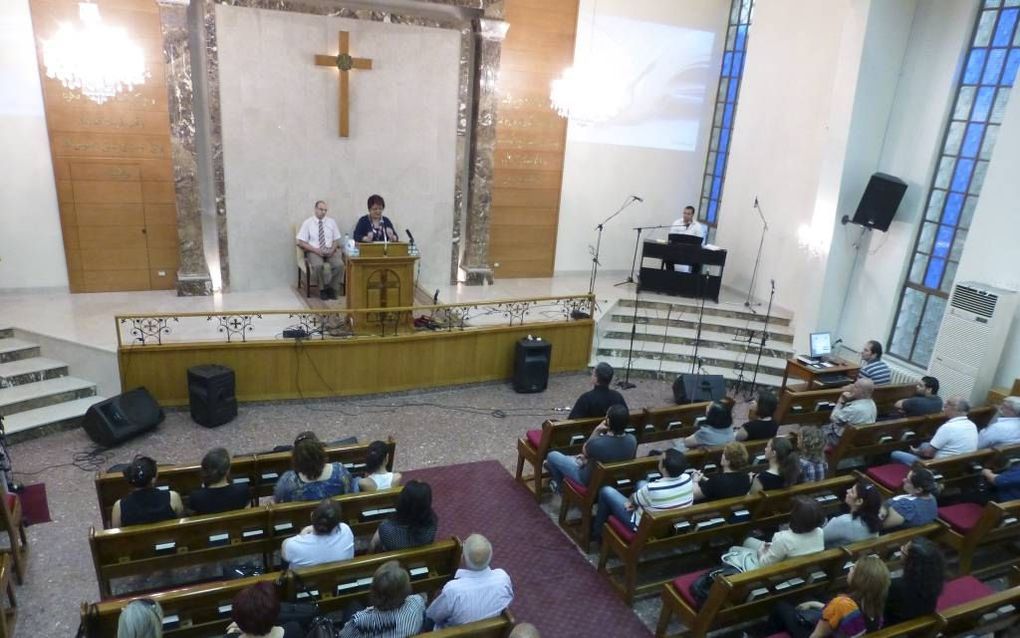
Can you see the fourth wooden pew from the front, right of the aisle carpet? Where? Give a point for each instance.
(748, 597)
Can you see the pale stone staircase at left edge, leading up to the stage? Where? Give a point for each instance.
(37, 396)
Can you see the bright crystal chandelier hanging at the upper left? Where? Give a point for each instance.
(96, 60)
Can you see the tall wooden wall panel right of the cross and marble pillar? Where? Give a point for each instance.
(531, 138)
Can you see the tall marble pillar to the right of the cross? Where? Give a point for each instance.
(490, 34)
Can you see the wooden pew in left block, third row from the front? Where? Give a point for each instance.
(205, 611)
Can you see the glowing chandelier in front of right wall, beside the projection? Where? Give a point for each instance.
(593, 91)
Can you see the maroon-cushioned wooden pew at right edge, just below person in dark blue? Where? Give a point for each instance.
(970, 528)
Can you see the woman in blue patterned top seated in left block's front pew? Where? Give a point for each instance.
(313, 478)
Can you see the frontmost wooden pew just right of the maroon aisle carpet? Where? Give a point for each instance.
(570, 435)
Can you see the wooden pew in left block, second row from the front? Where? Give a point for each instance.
(212, 539)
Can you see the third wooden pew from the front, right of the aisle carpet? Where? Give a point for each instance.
(703, 526)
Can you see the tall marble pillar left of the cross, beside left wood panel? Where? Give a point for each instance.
(193, 272)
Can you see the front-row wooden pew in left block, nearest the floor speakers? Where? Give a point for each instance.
(259, 471)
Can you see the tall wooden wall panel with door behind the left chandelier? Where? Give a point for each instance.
(113, 163)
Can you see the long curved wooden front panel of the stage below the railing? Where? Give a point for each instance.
(284, 370)
